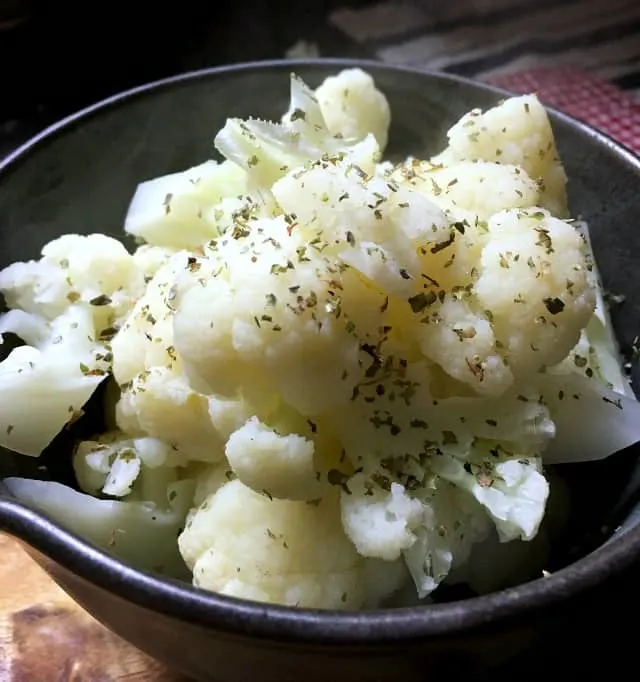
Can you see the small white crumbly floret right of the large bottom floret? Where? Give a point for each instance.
(380, 524)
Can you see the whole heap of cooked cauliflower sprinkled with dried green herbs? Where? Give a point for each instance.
(336, 374)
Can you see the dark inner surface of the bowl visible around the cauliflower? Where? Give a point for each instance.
(80, 176)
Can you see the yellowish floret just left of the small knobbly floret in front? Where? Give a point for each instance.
(161, 404)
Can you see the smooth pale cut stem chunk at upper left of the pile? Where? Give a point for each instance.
(174, 210)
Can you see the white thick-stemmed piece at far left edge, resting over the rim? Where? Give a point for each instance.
(53, 380)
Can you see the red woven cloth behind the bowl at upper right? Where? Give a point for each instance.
(584, 96)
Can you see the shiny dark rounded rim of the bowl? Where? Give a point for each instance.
(51, 543)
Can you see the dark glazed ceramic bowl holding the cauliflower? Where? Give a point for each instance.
(79, 175)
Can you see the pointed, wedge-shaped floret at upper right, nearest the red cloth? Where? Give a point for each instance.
(516, 132)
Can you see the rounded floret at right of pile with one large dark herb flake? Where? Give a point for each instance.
(534, 284)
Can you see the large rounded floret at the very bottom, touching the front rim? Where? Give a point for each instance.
(244, 544)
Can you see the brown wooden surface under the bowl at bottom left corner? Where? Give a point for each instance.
(46, 637)
